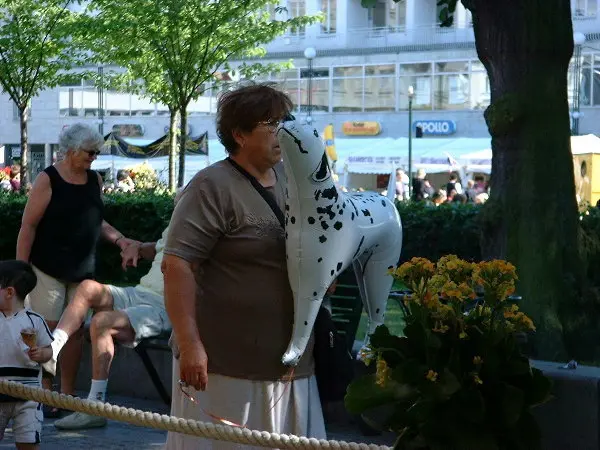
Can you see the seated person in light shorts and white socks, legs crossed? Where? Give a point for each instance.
(127, 314)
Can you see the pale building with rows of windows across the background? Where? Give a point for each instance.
(366, 60)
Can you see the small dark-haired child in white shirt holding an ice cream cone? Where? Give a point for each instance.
(25, 342)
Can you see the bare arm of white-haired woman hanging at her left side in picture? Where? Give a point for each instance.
(38, 201)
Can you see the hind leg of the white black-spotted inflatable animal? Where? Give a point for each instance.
(374, 285)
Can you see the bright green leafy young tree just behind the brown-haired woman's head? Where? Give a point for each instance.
(172, 51)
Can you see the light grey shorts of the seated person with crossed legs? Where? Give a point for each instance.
(145, 310)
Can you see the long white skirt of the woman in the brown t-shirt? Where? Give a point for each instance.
(297, 409)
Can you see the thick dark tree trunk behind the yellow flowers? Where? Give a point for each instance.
(531, 218)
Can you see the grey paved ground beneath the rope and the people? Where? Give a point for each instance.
(121, 436)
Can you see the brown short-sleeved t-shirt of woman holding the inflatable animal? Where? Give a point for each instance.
(244, 304)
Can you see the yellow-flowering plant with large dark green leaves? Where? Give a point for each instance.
(457, 378)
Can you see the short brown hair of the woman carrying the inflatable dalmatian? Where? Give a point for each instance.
(244, 107)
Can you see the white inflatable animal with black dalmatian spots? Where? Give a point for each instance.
(327, 230)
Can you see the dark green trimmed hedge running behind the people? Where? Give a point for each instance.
(429, 231)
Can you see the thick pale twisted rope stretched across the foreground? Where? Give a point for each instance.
(176, 424)
